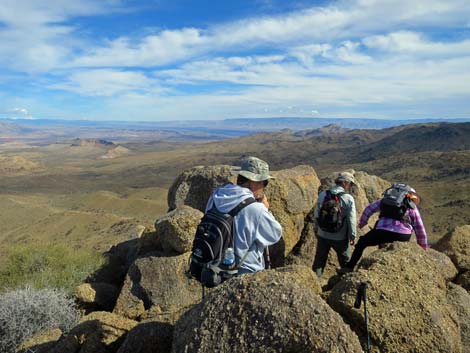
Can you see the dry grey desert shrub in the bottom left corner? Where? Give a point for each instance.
(26, 311)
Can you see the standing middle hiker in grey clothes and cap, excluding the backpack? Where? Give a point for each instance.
(342, 239)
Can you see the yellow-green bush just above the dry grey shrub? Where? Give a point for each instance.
(44, 266)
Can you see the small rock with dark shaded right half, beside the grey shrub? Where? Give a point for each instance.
(95, 296)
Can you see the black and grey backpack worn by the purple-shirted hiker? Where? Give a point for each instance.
(396, 202)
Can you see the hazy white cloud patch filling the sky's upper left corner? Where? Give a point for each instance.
(34, 36)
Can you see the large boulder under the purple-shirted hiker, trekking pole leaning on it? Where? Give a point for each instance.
(407, 301)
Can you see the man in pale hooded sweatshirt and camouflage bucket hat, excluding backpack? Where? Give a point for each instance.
(255, 227)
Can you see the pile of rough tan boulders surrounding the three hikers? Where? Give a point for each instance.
(417, 300)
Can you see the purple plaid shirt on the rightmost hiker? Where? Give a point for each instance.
(396, 226)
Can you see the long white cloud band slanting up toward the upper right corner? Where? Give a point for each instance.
(344, 21)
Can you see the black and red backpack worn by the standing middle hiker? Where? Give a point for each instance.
(330, 216)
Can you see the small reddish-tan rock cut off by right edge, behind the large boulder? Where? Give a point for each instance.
(456, 245)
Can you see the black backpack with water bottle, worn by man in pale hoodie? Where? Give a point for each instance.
(214, 235)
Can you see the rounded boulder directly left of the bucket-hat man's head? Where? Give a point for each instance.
(194, 186)
